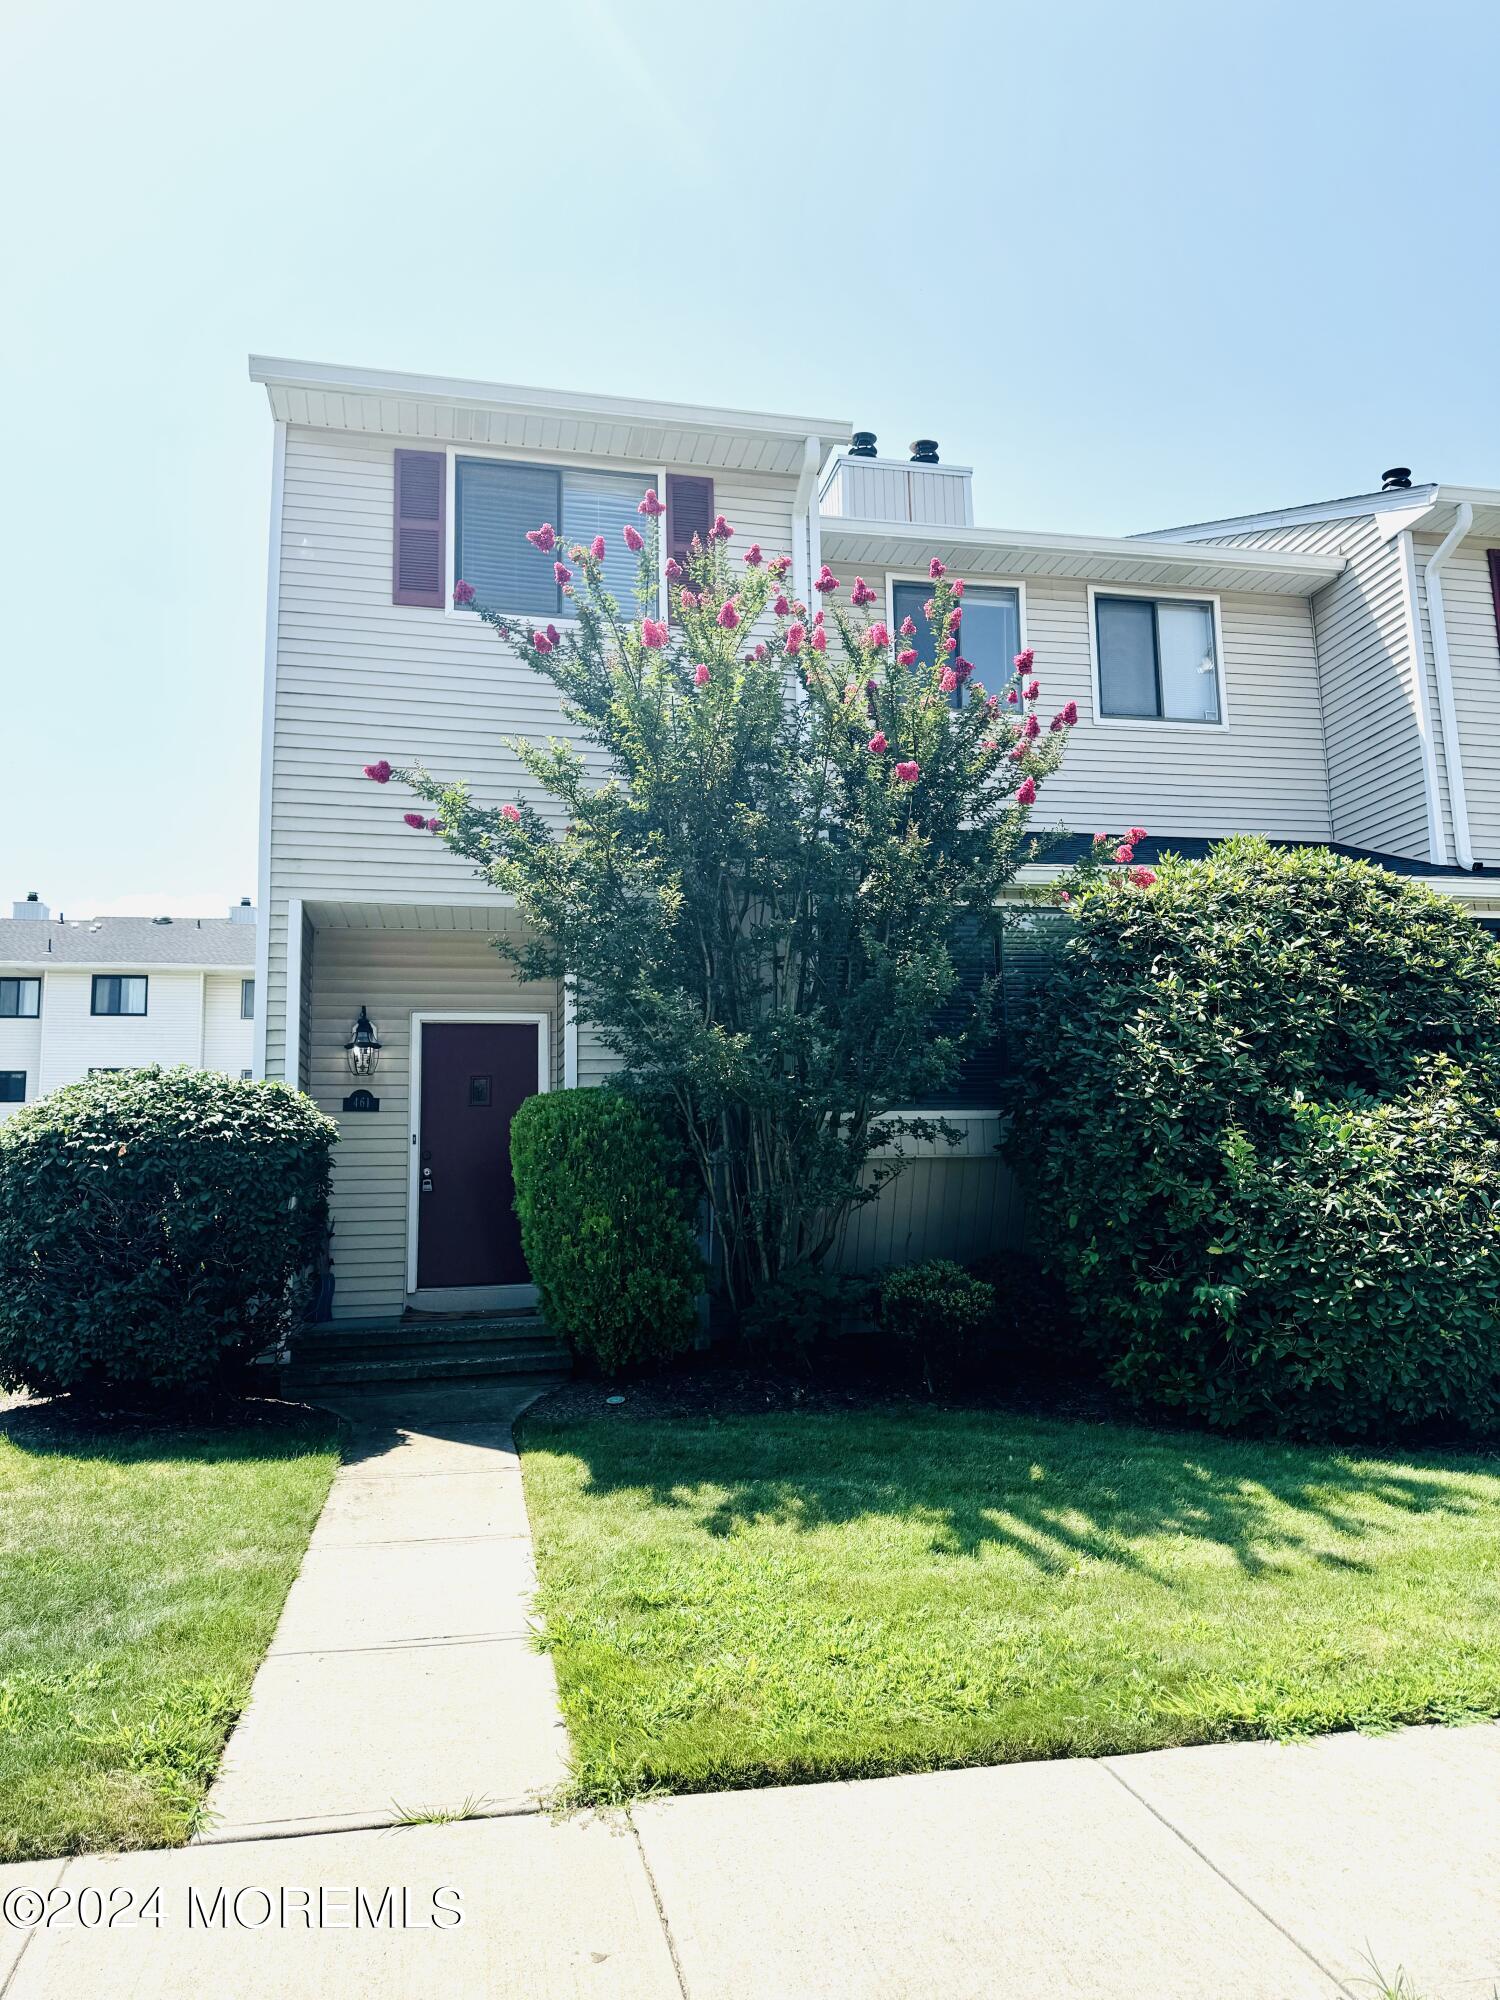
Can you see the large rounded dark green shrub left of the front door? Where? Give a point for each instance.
(157, 1229)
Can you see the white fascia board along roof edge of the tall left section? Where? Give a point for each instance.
(525, 401)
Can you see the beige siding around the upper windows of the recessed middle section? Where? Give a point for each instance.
(1265, 773)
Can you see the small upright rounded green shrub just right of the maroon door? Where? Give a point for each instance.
(605, 1223)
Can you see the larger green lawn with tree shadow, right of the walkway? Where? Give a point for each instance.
(787, 1597)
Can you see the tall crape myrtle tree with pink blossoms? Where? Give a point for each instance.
(781, 899)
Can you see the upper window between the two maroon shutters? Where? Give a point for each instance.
(499, 501)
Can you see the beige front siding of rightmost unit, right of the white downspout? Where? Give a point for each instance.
(1475, 661)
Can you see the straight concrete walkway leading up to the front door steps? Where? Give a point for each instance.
(403, 1677)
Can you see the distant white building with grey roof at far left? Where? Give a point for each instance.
(115, 993)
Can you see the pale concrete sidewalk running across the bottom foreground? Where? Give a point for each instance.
(1237, 1873)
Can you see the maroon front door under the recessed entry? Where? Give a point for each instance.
(475, 1075)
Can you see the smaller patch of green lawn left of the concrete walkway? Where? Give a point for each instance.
(141, 1579)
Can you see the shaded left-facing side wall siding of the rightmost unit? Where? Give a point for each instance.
(1377, 787)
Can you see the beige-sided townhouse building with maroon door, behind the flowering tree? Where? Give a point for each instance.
(1217, 677)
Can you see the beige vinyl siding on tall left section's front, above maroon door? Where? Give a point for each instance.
(359, 679)
